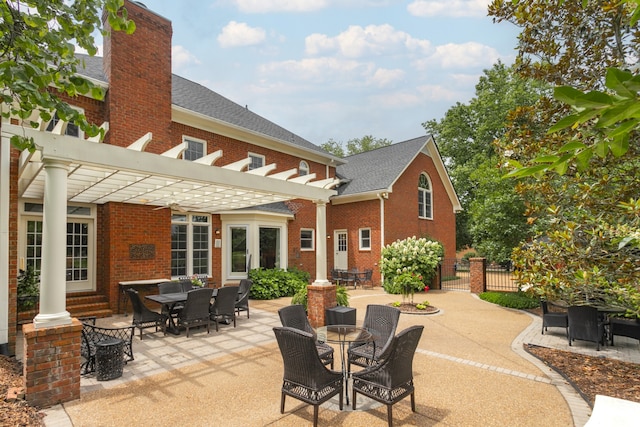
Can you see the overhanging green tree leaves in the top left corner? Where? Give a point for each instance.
(38, 39)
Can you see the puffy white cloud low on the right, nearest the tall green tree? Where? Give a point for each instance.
(464, 55)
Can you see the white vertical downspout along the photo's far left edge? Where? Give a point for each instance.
(5, 164)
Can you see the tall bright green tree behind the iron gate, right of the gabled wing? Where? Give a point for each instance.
(466, 137)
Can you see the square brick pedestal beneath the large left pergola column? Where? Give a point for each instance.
(52, 363)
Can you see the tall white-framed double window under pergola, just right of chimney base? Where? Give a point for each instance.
(190, 244)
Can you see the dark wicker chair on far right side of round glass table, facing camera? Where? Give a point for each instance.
(383, 320)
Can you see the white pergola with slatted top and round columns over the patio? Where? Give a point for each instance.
(67, 169)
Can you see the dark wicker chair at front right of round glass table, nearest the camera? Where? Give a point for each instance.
(392, 380)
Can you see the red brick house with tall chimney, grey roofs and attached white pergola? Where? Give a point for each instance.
(187, 182)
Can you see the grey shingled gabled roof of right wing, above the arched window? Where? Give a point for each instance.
(376, 171)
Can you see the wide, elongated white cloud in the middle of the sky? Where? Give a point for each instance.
(359, 41)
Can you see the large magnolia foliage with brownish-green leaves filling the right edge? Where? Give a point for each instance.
(575, 156)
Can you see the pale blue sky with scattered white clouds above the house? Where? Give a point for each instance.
(338, 69)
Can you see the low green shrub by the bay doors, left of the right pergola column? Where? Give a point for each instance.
(276, 283)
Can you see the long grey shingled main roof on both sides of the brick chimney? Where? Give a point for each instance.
(203, 101)
